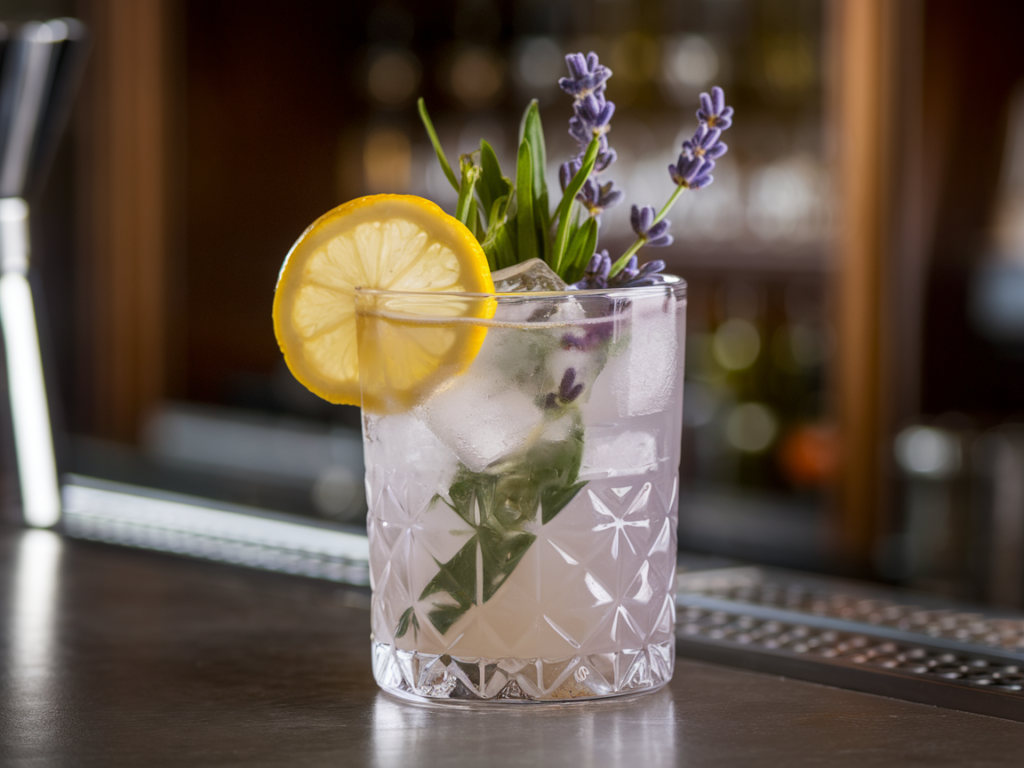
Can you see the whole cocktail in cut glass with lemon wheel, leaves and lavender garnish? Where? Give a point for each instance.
(523, 398)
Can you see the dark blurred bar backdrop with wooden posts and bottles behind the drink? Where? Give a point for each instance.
(856, 362)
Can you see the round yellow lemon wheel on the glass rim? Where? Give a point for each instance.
(410, 344)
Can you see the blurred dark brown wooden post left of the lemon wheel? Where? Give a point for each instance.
(124, 202)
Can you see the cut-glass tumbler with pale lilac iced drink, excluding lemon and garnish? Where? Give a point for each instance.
(486, 588)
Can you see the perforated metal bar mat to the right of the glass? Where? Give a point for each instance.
(855, 636)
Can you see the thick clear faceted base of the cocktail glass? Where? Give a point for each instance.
(429, 677)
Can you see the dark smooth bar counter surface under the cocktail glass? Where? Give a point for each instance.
(114, 657)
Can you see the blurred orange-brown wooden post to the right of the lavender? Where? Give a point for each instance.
(864, 33)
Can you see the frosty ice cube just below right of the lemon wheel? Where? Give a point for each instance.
(483, 416)
